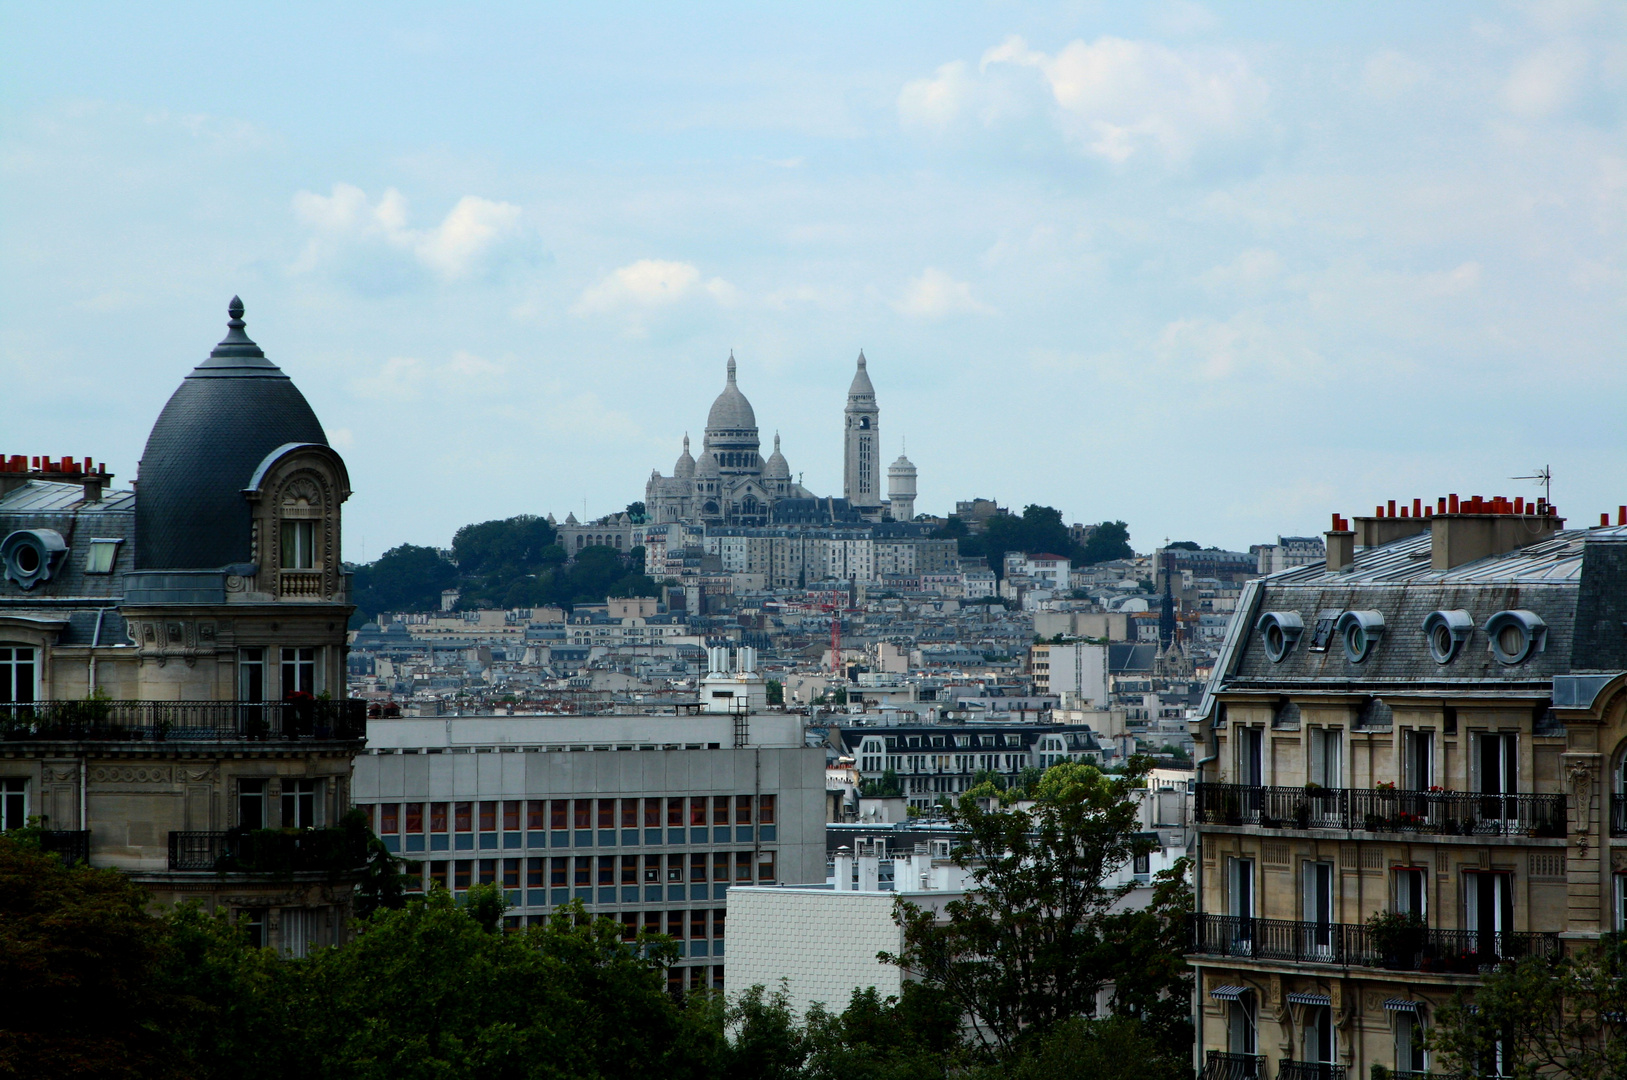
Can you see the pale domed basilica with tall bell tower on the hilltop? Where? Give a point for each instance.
(731, 484)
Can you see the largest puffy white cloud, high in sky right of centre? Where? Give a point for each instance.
(1114, 98)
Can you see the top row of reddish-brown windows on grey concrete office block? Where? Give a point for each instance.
(513, 824)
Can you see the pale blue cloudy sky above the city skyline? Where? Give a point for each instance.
(1216, 271)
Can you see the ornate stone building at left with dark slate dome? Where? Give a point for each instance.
(173, 660)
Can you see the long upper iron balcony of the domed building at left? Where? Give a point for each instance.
(183, 721)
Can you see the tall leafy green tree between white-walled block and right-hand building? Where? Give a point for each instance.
(1029, 947)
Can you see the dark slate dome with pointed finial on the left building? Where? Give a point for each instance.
(233, 411)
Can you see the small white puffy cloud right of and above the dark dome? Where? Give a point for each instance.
(451, 250)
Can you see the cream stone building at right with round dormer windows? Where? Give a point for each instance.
(1411, 769)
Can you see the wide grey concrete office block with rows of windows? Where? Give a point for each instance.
(650, 821)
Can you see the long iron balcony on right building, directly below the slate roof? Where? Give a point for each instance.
(1382, 811)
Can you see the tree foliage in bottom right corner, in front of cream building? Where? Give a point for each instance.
(1553, 1017)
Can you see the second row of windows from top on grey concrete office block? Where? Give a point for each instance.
(604, 879)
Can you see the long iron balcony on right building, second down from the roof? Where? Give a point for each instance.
(1348, 946)
